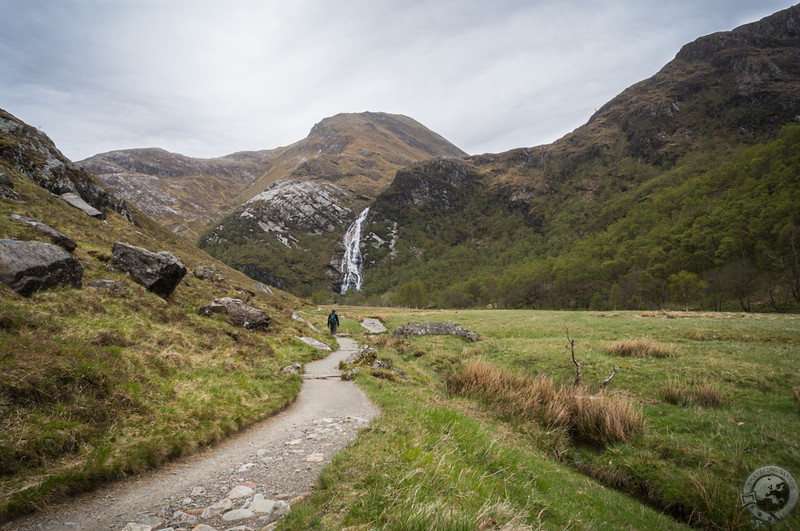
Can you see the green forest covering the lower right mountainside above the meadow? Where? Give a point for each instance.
(717, 230)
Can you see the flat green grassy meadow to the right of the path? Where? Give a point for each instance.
(495, 435)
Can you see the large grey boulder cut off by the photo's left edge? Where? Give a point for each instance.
(30, 266)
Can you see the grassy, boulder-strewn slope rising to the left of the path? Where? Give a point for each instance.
(103, 378)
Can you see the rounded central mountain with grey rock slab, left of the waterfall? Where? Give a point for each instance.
(288, 233)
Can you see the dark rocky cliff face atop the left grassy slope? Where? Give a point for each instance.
(33, 154)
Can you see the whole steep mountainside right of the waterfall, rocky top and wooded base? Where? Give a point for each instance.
(678, 191)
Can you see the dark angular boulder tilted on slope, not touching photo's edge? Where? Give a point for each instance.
(158, 272)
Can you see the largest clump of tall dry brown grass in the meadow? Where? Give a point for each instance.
(601, 419)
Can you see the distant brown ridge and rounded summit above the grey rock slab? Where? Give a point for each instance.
(359, 152)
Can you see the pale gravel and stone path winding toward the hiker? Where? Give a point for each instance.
(279, 459)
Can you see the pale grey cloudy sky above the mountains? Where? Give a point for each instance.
(206, 78)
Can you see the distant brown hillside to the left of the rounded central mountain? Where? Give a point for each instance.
(184, 194)
